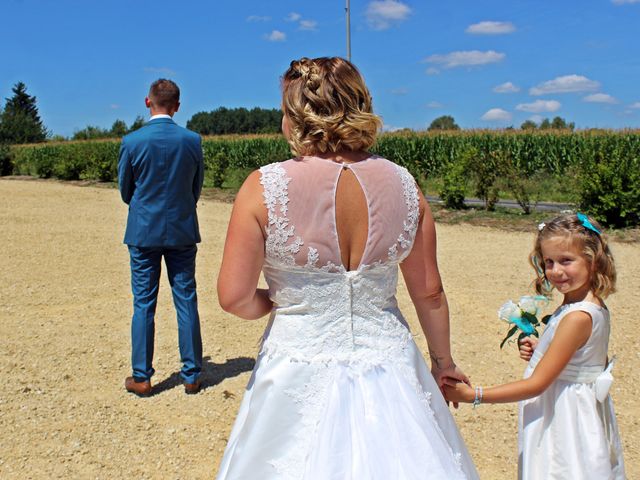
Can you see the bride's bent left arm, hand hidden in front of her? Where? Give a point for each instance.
(244, 255)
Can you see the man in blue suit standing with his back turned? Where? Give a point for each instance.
(160, 174)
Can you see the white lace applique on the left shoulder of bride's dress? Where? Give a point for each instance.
(275, 182)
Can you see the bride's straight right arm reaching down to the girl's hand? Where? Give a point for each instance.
(420, 271)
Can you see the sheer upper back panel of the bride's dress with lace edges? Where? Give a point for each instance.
(300, 199)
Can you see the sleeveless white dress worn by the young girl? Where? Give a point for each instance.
(566, 433)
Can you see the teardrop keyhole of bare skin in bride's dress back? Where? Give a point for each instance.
(352, 219)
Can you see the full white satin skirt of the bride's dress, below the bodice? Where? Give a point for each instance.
(344, 422)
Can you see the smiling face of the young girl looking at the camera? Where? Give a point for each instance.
(566, 268)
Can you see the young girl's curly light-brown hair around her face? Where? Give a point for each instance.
(594, 247)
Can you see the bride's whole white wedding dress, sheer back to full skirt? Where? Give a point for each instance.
(340, 390)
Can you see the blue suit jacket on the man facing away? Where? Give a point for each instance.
(160, 175)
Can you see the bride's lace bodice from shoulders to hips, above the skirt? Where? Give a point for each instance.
(325, 312)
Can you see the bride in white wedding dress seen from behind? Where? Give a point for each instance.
(339, 390)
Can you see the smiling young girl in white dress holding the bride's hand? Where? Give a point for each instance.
(567, 427)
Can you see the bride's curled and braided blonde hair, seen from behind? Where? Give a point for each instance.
(328, 107)
